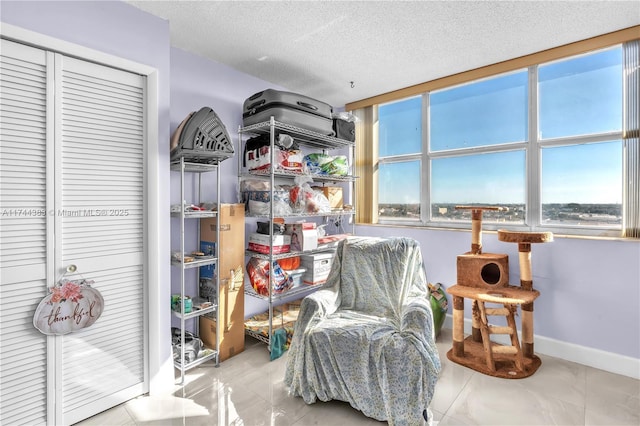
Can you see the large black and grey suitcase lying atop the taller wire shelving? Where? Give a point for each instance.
(288, 108)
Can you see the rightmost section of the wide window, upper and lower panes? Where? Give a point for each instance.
(580, 130)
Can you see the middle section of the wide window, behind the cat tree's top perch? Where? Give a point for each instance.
(477, 133)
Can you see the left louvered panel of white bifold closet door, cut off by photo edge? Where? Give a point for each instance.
(24, 248)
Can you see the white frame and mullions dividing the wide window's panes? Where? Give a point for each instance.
(532, 147)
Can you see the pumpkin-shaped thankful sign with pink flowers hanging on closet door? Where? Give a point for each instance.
(71, 305)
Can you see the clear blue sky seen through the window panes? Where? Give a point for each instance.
(576, 97)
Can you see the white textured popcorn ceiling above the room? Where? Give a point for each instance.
(319, 47)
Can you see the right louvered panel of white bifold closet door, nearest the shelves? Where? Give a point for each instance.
(100, 203)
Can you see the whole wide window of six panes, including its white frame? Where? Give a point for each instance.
(545, 141)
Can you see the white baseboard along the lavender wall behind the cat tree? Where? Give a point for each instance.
(596, 358)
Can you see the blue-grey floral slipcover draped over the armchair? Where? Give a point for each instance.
(367, 336)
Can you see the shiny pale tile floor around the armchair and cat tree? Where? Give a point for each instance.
(248, 390)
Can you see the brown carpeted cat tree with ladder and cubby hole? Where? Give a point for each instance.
(484, 279)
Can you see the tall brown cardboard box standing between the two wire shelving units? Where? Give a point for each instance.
(231, 280)
